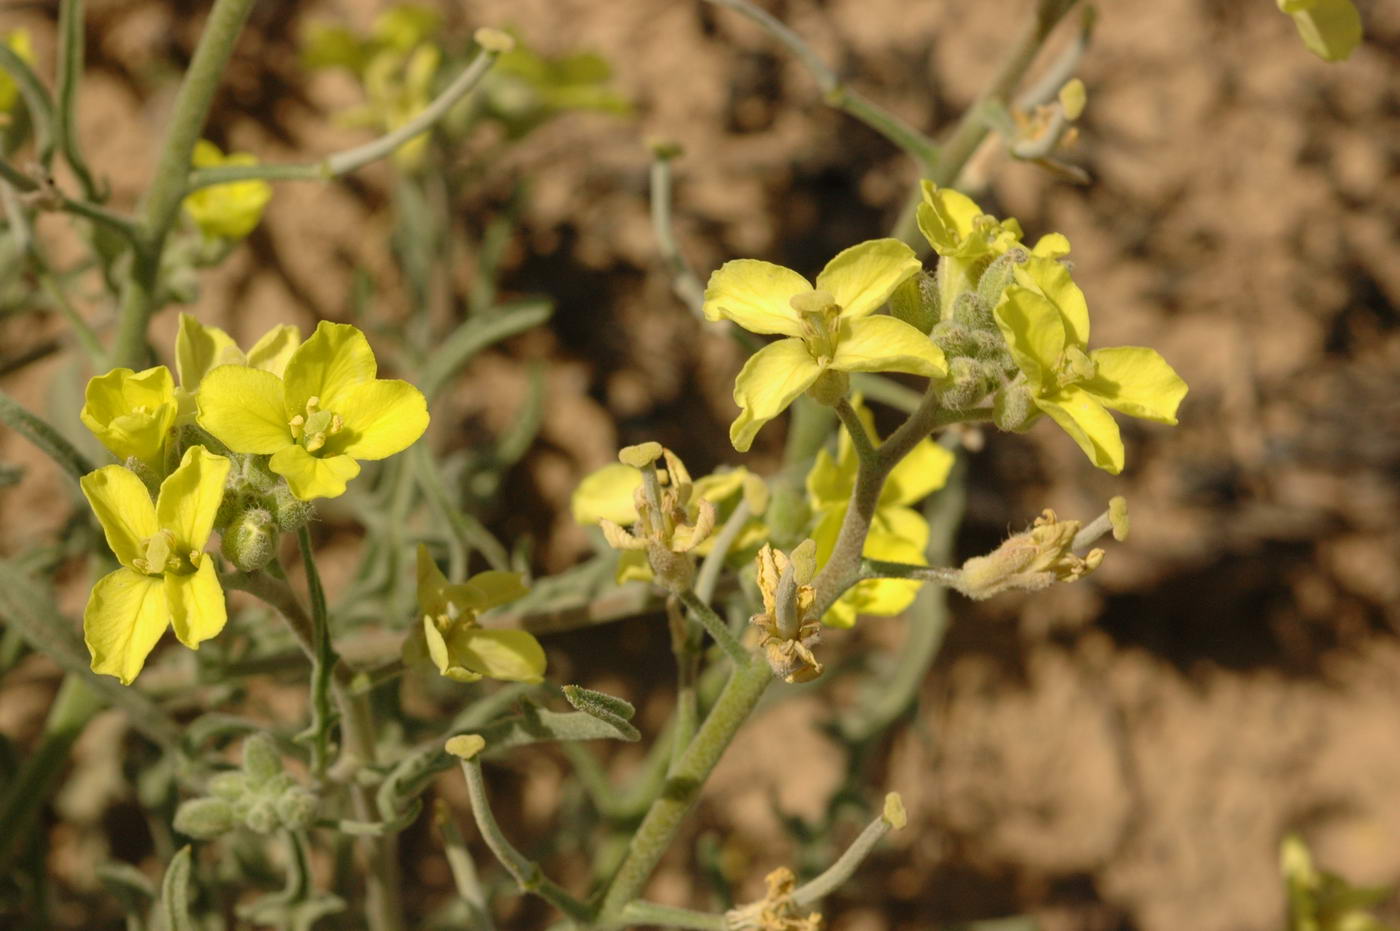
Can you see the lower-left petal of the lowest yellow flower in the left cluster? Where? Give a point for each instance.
(125, 617)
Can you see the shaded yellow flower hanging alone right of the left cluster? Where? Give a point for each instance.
(460, 647)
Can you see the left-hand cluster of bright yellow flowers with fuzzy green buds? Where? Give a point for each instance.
(241, 447)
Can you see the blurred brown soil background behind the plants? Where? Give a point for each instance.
(1123, 754)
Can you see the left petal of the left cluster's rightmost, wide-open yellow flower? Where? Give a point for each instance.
(244, 409)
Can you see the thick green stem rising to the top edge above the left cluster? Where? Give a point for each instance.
(167, 191)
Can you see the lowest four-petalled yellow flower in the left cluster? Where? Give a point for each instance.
(166, 577)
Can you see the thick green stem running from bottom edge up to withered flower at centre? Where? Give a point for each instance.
(741, 694)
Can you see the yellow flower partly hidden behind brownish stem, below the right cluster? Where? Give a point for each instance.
(898, 533)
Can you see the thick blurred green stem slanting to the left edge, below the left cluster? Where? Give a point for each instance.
(24, 797)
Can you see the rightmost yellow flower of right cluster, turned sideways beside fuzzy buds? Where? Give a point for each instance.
(1046, 324)
